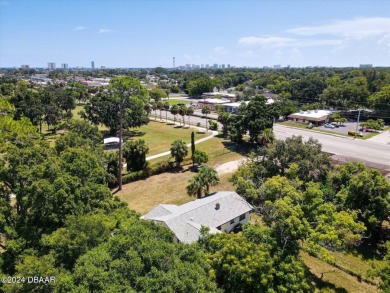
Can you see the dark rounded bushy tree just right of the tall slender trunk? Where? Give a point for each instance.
(134, 153)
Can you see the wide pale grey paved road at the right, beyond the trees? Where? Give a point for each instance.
(363, 150)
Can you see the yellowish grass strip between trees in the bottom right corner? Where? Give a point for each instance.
(329, 277)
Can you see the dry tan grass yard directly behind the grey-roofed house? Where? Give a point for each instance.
(169, 188)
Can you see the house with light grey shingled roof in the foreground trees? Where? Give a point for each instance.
(222, 211)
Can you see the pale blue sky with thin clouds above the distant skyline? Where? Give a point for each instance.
(148, 33)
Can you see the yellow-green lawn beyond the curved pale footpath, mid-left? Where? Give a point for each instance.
(159, 136)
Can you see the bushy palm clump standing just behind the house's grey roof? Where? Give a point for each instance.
(202, 182)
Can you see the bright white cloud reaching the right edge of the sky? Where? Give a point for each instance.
(356, 28)
